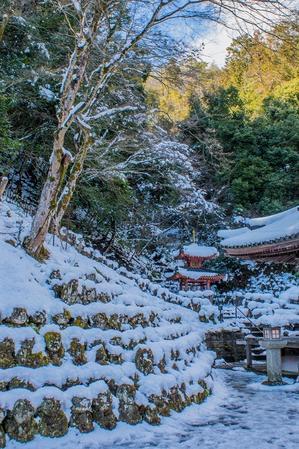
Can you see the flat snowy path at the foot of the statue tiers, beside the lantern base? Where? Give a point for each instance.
(241, 414)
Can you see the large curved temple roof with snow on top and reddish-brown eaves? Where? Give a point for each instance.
(267, 239)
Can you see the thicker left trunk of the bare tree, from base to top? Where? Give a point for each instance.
(68, 111)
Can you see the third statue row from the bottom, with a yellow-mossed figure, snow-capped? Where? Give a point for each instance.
(51, 345)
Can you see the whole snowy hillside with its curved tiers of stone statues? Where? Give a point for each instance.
(84, 342)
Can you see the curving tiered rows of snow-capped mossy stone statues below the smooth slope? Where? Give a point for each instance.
(97, 359)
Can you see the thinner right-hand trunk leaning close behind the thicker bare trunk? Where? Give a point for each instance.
(71, 183)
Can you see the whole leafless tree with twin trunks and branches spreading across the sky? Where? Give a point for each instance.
(112, 29)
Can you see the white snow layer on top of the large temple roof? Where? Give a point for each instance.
(284, 225)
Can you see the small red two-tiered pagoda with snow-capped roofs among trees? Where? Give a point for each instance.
(192, 275)
